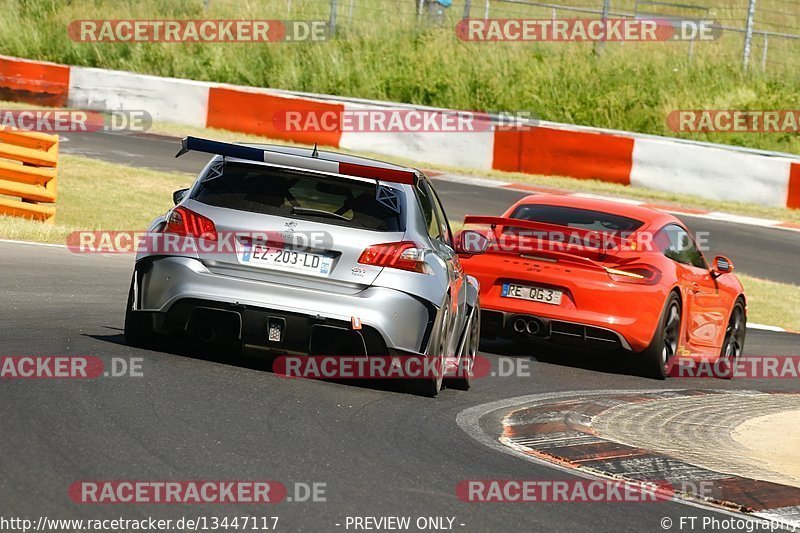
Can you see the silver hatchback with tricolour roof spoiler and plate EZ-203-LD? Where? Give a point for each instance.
(307, 252)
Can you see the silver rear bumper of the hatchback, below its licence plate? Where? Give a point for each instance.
(182, 295)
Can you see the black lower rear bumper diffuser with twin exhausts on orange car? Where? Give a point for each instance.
(527, 326)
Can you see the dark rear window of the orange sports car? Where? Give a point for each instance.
(577, 218)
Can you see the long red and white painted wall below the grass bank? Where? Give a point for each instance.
(717, 172)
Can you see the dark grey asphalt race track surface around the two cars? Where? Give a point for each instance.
(379, 451)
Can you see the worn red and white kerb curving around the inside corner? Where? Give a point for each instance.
(555, 430)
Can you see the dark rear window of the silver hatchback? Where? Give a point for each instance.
(342, 202)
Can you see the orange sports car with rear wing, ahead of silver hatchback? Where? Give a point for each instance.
(604, 275)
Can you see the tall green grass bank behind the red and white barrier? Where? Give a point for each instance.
(386, 53)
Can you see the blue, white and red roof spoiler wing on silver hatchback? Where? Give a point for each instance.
(196, 144)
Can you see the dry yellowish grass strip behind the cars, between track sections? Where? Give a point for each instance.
(97, 195)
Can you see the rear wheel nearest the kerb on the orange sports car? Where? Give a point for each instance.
(657, 359)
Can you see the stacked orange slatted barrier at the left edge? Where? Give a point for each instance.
(28, 168)
